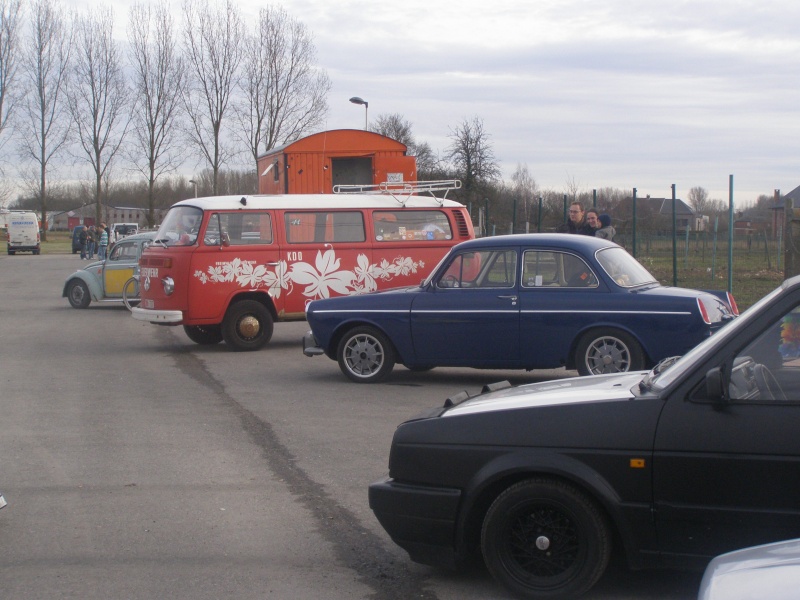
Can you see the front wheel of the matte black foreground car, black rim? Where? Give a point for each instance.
(545, 539)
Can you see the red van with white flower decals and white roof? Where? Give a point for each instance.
(226, 268)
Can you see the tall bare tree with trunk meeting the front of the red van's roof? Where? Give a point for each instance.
(214, 50)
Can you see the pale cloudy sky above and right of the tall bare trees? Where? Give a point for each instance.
(620, 93)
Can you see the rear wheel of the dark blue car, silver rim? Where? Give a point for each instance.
(608, 351)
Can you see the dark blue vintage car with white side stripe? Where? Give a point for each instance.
(536, 301)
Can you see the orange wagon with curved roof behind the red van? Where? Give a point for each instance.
(318, 162)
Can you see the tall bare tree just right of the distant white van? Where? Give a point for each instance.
(45, 126)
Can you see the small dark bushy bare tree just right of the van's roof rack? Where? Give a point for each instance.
(472, 156)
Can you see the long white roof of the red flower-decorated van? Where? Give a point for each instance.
(317, 201)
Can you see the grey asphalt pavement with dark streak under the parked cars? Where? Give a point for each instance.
(137, 464)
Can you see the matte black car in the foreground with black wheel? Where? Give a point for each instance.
(673, 466)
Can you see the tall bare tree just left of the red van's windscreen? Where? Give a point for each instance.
(158, 76)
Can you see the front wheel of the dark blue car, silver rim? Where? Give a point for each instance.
(365, 355)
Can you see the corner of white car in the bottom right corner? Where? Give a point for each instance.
(771, 571)
